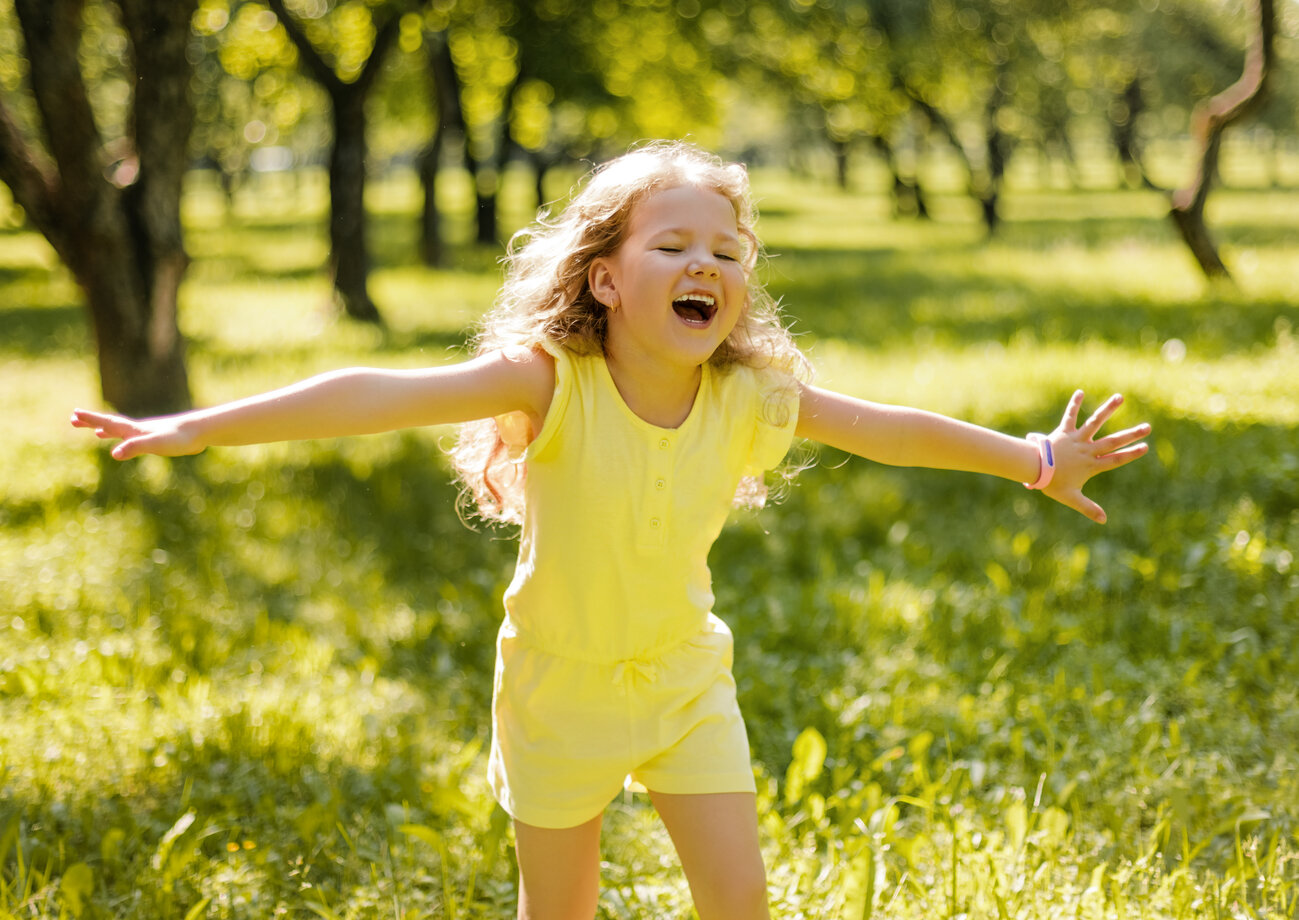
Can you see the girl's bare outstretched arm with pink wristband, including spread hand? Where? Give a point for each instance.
(903, 437)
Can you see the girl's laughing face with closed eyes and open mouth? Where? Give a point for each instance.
(676, 287)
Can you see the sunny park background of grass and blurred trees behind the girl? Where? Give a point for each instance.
(257, 683)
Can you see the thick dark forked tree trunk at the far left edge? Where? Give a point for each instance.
(103, 184)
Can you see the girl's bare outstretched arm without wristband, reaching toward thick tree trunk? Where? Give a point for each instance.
(358, 401)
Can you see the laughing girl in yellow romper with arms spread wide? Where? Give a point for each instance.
(632, 385)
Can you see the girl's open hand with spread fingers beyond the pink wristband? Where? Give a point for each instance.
(1080, 455)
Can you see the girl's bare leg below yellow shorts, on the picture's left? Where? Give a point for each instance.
(559, 871)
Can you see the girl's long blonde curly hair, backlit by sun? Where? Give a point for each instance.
(546, 300)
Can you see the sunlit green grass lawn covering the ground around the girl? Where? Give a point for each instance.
(257, 683)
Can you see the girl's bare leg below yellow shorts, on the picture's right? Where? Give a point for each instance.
(716, 839)
